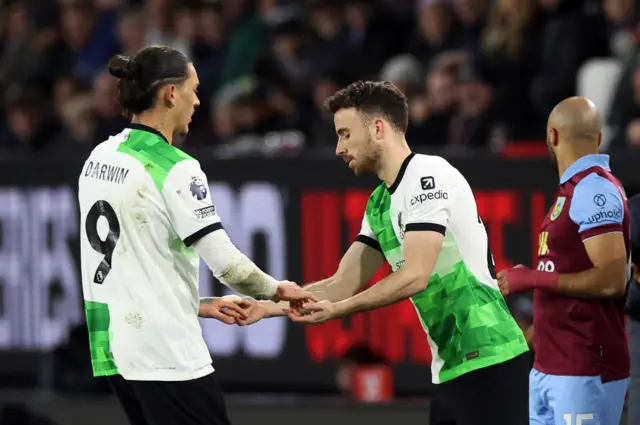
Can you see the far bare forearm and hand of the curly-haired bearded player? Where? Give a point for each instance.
(357, 267)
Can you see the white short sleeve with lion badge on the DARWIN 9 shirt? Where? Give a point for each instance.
(188, 202)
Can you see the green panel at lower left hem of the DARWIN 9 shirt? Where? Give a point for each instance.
(98, 322)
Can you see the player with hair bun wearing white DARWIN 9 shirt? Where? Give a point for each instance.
(146, 219)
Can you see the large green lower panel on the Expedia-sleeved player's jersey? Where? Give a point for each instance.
(469, 322)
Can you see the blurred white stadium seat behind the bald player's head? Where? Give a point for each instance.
(597, 80)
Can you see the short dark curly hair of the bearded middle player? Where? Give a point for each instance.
(373, 98)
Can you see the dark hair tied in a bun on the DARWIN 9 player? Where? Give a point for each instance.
(140, 76)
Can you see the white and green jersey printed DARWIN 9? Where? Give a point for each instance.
(143, 203)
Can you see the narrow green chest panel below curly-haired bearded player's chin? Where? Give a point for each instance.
(379, 219)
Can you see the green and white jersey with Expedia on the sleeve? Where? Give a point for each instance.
(465, 317)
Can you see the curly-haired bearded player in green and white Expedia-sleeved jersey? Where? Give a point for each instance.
(424, 221)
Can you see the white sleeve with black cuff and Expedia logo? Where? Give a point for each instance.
(429, 201)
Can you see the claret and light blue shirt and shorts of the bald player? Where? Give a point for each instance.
(581, 367)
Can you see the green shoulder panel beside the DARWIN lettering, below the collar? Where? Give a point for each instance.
(157, 156)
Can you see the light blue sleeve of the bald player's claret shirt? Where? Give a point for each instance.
(596, 207)
